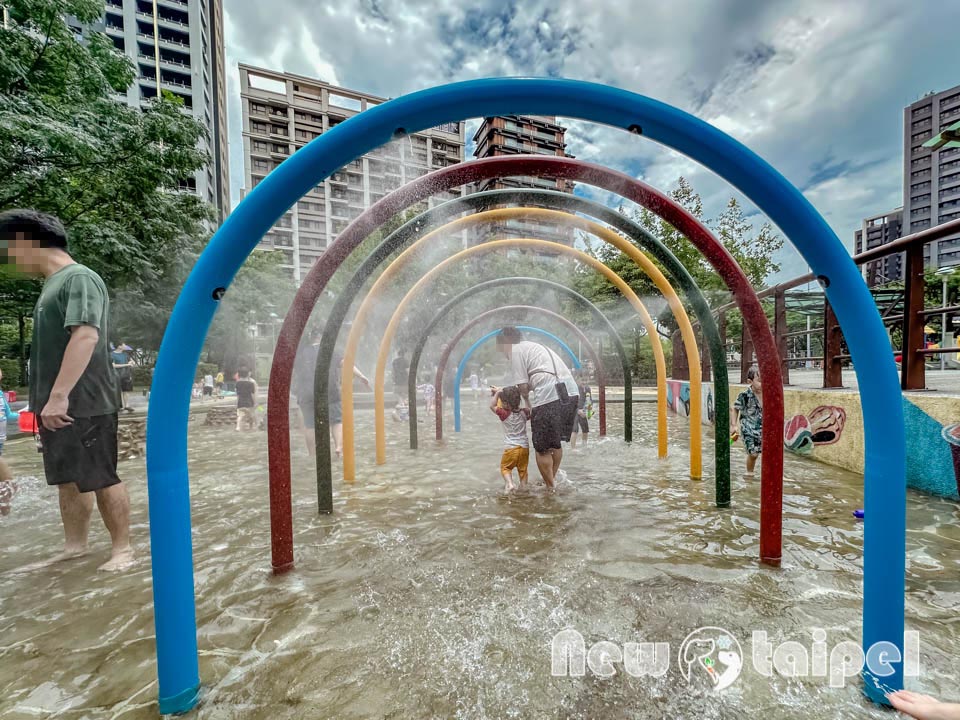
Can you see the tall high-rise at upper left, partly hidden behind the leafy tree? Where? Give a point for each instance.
(181, 41)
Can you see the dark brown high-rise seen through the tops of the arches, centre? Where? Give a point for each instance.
(516, 135)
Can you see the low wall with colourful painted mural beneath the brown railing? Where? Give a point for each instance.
(827, 426)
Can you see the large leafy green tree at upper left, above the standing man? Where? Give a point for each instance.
(113, 174)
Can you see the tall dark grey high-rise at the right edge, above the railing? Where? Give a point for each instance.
(931, 178)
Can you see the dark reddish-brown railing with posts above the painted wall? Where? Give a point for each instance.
(913, 350)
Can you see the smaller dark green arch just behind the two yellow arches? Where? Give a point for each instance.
(512, 282)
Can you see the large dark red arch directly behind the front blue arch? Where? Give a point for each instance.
(771, 483)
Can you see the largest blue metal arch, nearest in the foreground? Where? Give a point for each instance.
(167, 474)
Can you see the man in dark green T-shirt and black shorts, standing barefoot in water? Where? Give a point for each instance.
(73, 388)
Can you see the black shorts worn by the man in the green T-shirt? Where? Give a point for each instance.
(84, 453)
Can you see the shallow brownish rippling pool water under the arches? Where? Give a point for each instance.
(430, 594)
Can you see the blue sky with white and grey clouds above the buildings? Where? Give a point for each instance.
(816, 87)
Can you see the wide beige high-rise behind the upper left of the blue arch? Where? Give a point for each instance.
(282, 112)
